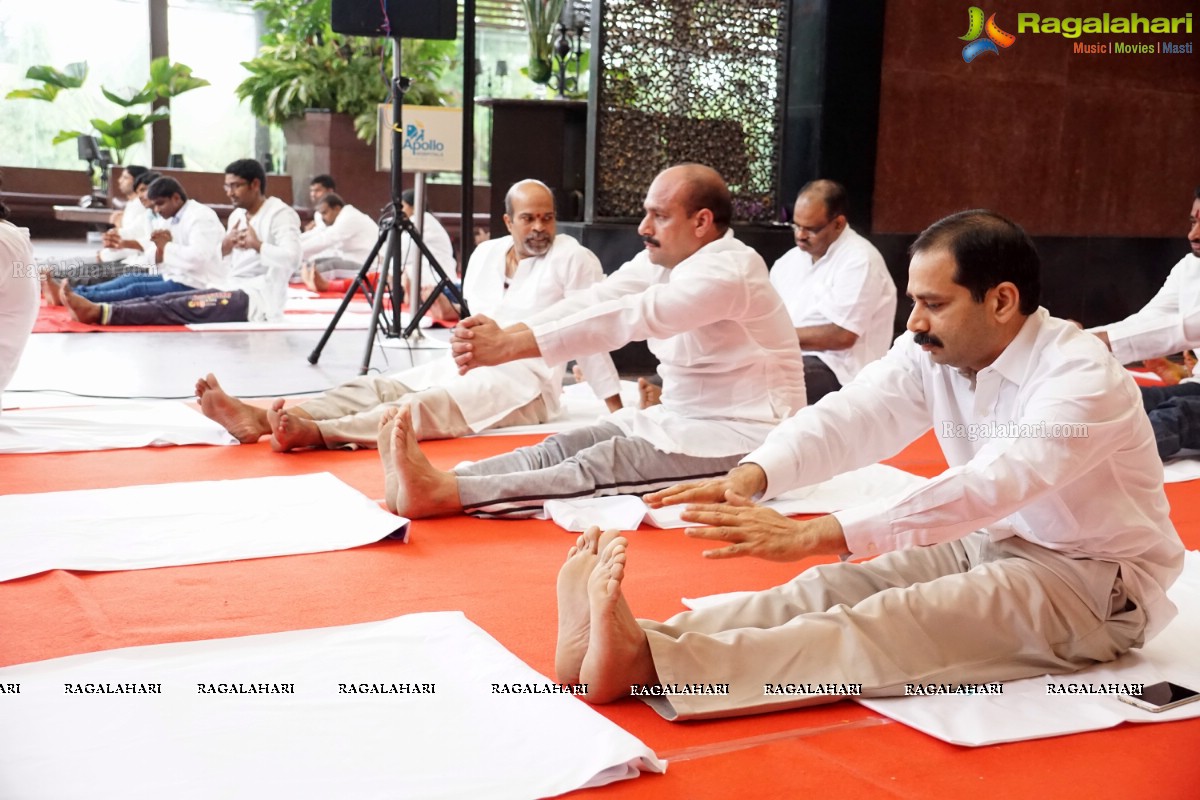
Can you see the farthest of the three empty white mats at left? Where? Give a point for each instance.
(107, 428)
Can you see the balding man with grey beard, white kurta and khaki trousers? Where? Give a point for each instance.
(511, 279)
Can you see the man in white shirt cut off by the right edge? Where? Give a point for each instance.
(1168, 324)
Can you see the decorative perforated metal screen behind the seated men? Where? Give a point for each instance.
(694, 81)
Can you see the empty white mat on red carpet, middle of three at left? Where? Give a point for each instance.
(142, 527)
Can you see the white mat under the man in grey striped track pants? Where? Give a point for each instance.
(627, 513)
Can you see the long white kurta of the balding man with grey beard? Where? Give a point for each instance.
(490, 394)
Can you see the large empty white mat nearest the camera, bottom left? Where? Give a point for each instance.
(461, 742)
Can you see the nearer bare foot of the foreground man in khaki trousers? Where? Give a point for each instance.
(619, 655)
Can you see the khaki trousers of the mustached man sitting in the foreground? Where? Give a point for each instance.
(964, 612)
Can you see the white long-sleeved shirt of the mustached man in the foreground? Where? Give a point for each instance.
(1049, 444)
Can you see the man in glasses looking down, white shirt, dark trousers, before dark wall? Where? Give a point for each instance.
(838, 291)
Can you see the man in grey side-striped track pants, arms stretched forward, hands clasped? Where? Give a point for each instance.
(728, 354)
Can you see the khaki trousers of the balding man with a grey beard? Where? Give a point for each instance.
(351, 413)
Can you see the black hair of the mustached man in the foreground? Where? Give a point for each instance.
(988, 250)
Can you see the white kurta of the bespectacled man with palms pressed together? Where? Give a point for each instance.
(265, 275)
